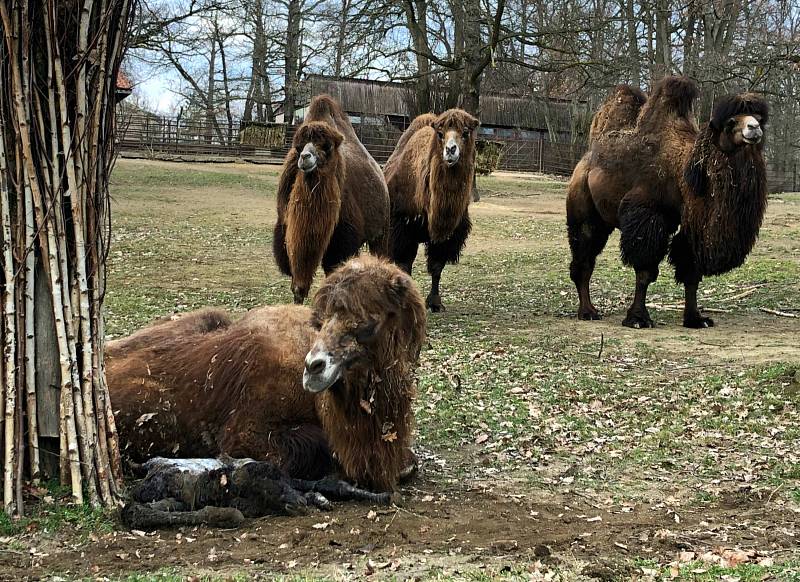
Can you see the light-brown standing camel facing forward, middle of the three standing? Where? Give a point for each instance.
(430, 176)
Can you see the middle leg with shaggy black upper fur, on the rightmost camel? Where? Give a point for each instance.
(645, 233)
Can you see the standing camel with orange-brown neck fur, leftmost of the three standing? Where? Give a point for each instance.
(332, 198)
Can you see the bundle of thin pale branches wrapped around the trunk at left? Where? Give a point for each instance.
(58, 67)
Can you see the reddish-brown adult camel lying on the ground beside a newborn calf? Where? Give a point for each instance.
(292, 385)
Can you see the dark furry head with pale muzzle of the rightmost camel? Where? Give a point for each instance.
(738, 121)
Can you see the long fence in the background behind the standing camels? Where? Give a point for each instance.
(192, 140)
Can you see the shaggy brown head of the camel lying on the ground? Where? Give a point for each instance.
(369, 318)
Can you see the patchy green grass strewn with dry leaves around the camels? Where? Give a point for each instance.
(509, 382)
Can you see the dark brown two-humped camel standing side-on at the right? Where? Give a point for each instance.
(698, 194)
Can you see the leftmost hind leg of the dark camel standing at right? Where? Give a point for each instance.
(588, 234)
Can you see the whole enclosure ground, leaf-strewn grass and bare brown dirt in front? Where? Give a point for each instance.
(714, 497)
